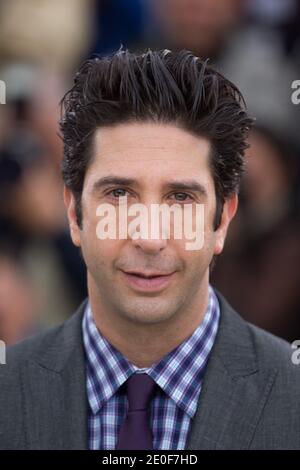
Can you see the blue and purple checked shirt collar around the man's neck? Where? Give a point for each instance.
(179, 373)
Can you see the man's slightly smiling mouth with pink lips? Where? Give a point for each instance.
(143, 281)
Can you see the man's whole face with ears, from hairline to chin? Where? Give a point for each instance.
(158, 163)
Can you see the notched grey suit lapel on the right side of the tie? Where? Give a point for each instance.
(234, 390)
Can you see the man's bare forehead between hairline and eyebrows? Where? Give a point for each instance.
(149, 151)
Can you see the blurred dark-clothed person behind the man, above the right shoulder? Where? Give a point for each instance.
(260, 269)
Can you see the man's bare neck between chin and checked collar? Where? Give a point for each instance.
(144, 344)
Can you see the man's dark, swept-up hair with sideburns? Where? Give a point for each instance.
(161, 86)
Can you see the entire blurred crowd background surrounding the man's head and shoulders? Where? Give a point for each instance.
(255, 43)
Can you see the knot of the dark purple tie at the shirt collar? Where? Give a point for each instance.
(140, 388)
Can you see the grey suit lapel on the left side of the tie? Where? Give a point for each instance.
(55, 399)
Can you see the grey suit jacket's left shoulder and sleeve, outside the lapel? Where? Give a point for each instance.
(50, 349)
